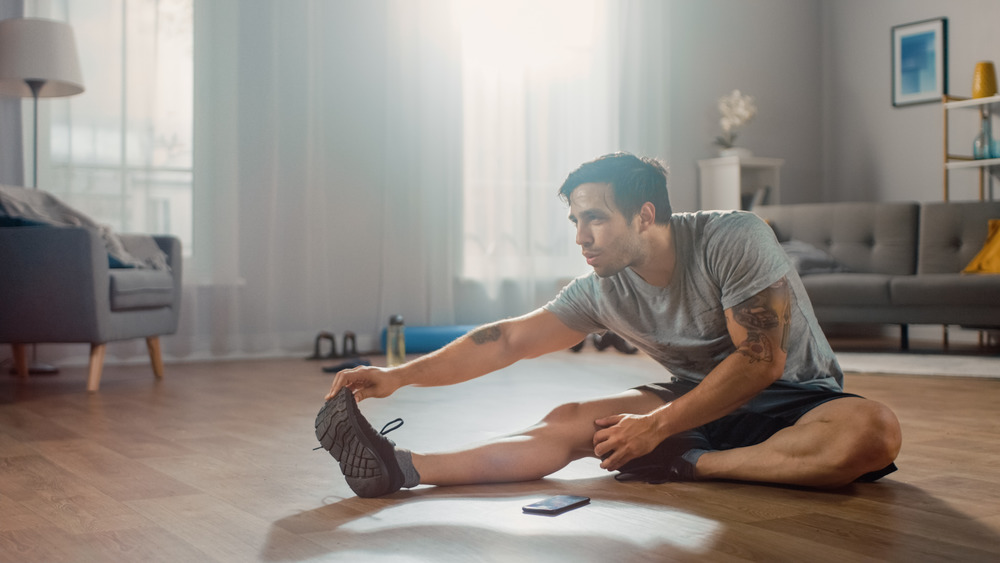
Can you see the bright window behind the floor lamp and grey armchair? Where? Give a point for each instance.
(121, 152)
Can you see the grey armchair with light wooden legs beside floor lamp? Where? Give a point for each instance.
(56, 286)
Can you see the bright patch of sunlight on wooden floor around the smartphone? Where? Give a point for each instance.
(659, 525)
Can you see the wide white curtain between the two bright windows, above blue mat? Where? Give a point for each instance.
(327, 175)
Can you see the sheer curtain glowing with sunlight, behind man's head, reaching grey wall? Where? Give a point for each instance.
(542, 94)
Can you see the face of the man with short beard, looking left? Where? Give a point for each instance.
(609, 242)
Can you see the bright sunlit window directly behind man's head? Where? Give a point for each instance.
(539, 98)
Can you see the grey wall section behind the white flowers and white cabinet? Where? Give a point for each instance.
(769, 49)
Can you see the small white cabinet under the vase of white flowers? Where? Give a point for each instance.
(736, 182)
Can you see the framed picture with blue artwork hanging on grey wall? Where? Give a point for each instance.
(919, 62)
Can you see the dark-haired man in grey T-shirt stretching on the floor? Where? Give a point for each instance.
(756, 393)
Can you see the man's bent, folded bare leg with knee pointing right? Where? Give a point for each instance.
(831, 445)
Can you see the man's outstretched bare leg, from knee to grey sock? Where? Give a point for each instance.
(564, 435)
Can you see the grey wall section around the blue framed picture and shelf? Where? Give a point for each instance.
(872, 150)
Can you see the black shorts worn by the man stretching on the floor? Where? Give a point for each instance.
(777, 407)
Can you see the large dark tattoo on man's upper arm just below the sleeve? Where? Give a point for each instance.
(768, 310)
